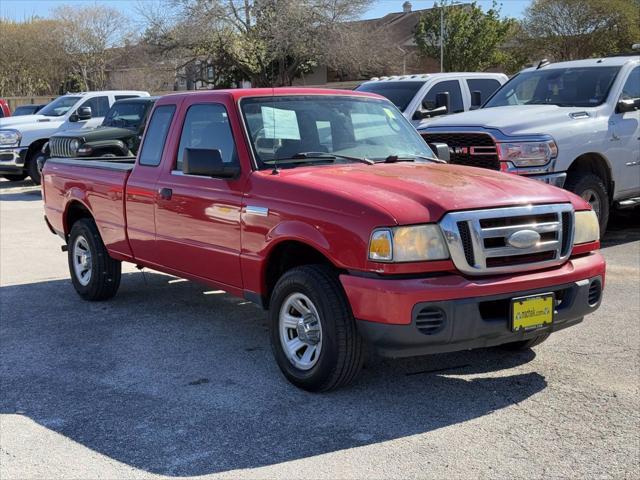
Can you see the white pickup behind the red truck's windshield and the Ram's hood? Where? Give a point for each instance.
(422, 97)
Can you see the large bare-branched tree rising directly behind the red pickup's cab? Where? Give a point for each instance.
(269, 42)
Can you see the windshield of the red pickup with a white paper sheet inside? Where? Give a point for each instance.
(328, 127)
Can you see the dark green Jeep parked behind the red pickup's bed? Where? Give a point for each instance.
(118, 136)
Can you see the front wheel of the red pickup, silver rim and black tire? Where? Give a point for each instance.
(313, 333)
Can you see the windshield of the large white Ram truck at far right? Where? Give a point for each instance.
(565, 87)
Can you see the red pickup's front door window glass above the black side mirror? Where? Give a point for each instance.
(206, 126)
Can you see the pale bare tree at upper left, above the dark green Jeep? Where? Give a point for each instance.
(89, 36)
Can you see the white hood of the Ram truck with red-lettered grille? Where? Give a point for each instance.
(514, 119)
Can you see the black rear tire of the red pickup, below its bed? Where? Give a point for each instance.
(105, 273)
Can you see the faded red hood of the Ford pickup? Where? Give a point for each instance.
(420, 193)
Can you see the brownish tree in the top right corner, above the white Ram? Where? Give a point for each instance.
(573, 29)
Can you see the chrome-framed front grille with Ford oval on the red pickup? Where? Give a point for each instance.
(501, 240)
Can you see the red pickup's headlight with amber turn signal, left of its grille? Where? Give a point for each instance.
(408, 244)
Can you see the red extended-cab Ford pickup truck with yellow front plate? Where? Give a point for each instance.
(327, 208)
